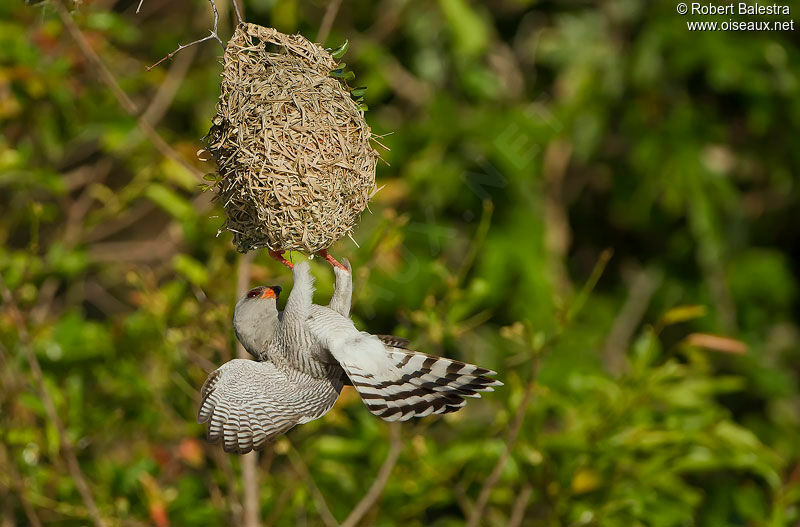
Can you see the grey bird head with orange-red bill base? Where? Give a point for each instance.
(255, 318)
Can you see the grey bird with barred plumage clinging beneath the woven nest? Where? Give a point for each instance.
(307, 353)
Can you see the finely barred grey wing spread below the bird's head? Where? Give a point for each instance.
(247, 403)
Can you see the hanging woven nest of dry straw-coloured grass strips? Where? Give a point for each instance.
(296, 167)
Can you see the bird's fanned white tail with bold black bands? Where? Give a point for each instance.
(395, 383)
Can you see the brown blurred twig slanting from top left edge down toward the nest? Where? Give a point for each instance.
(127, 104)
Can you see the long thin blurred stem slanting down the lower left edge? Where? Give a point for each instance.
(66, 447)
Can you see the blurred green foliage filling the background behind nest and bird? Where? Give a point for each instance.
(523, 139)
